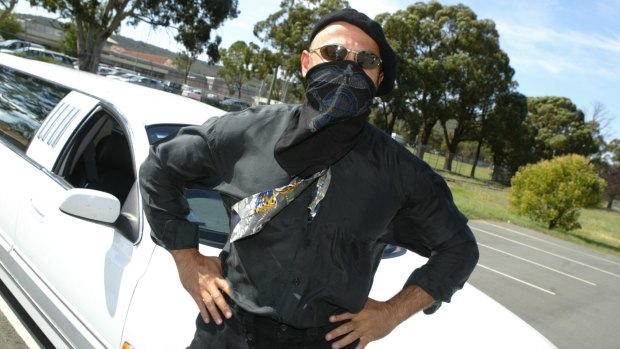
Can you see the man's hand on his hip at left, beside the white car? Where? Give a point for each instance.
(202, 278)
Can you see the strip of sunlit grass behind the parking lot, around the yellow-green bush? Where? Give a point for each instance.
(479, 199)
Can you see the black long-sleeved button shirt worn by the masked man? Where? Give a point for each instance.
(300, 272)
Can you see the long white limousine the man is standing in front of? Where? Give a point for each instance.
(75, 248)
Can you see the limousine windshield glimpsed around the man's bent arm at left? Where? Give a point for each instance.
(206, 206)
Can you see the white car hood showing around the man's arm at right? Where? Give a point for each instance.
(471, 320)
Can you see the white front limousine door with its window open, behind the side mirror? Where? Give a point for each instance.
(81, 266)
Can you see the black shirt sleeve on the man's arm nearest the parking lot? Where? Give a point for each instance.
(431, 225)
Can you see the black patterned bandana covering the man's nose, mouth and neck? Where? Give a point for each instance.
(339, 96)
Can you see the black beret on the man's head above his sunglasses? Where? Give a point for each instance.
(374, 30)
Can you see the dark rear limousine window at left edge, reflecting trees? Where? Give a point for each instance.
(25, 102)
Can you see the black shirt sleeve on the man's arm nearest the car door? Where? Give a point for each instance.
(183, 160)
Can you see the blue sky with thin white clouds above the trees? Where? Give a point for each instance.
(565, 48)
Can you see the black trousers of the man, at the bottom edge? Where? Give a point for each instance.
(247, 331)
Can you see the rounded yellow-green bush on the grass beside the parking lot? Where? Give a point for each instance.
(553, 191)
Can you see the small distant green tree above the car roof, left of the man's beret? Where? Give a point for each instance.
(238, 66)
